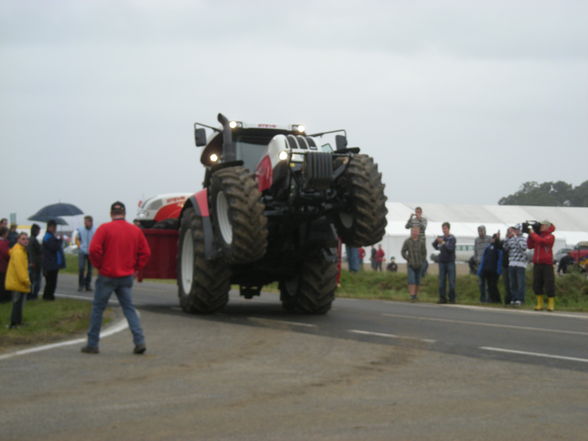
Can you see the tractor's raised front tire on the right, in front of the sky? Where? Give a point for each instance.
(362, 221)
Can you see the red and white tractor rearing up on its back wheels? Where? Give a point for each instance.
(274, 205)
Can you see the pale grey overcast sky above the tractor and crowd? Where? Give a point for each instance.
(458, 101)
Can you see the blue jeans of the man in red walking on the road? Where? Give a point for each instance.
(122, 287)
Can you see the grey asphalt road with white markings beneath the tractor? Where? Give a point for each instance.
(370, 370)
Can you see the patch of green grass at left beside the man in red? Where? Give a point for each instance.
(46, 322)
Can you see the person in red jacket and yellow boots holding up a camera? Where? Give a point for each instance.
(543, 276)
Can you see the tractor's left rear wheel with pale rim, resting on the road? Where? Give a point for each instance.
(203, 285)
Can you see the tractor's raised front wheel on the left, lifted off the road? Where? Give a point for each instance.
(239, 223)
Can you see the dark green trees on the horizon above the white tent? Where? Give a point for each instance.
(549, 194)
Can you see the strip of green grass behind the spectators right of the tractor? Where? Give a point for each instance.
(571, 289)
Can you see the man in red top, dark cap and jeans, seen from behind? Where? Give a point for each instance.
(118, 250)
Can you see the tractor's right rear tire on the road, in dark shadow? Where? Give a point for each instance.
(312, 291)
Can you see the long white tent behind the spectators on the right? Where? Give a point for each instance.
(571, 223)
